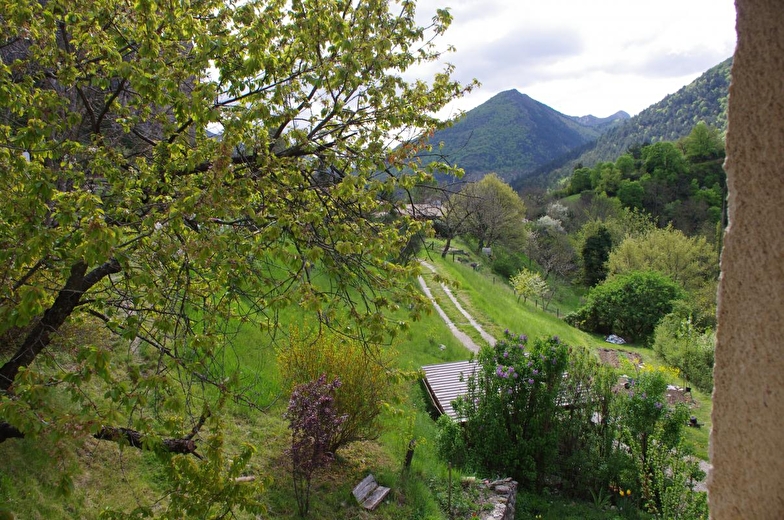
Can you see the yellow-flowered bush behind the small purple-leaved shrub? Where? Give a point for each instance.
(367, 379)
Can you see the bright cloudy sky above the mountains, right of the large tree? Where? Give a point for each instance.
(585, 56)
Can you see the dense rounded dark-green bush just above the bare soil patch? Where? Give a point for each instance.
(629, 305)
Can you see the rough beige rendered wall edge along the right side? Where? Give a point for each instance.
(747, 441)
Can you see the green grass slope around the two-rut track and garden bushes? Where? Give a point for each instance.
(105, 475)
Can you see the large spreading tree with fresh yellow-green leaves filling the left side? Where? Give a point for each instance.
(122, 208)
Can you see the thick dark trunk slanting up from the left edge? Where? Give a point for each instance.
(67, 299)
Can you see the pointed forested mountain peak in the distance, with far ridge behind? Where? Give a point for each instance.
(512, 134)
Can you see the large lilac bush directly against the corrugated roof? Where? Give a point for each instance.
(527, 419)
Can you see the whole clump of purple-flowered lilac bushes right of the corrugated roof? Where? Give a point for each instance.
(546, 413)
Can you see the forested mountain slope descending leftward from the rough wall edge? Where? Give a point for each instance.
(704, 99)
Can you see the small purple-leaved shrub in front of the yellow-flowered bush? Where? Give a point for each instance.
(314, 423)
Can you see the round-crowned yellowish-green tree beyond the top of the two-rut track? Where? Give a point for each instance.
(496, 212)
